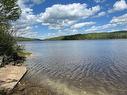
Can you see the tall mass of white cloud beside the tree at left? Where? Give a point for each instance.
(23, 26)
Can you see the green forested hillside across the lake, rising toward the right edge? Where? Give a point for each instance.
(93, 36)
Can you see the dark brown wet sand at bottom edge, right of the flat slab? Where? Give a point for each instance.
(25, 87)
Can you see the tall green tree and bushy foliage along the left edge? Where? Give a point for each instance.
(9, 11)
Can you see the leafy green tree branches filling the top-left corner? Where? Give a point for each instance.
(9, 11)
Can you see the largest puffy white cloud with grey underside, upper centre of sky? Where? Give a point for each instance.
(60, 16)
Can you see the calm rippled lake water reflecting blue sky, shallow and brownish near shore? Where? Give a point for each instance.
(90, 67)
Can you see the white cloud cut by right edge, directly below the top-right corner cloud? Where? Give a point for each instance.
(120, 19)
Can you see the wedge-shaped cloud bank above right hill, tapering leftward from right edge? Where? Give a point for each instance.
(115, 23)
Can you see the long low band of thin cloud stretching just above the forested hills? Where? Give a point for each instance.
(102, 28)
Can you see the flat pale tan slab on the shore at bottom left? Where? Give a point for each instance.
(10, 76)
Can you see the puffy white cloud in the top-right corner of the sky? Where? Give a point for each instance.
(118, 6)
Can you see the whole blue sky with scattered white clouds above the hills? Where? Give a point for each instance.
(51, 18)
